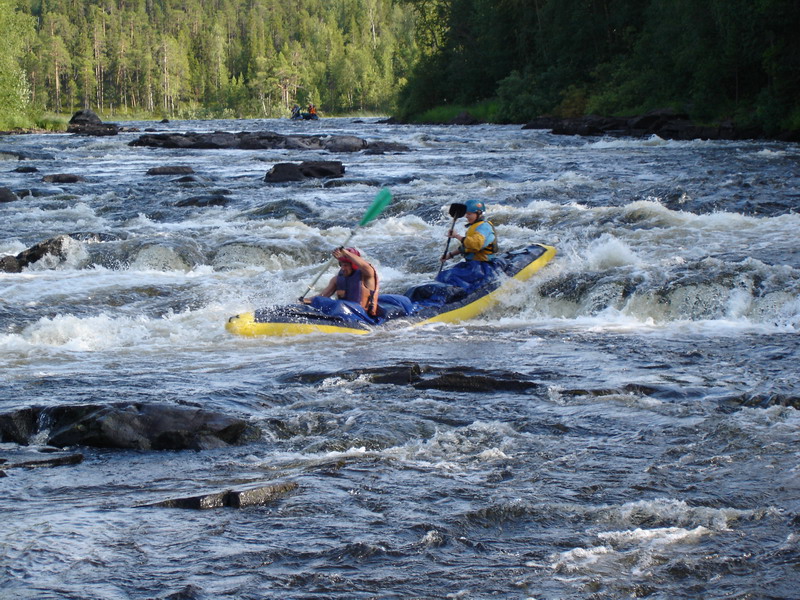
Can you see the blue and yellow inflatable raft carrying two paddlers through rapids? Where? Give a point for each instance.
(432, 302)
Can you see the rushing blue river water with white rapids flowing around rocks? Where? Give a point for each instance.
(653, 452)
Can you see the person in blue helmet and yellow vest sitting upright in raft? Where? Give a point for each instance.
(478, 246)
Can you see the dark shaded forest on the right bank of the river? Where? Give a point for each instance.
(714, 60)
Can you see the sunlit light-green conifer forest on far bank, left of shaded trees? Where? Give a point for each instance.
(229, 58)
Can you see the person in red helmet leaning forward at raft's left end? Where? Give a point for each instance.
(356, 281)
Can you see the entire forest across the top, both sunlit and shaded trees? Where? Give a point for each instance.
(506, 60)
